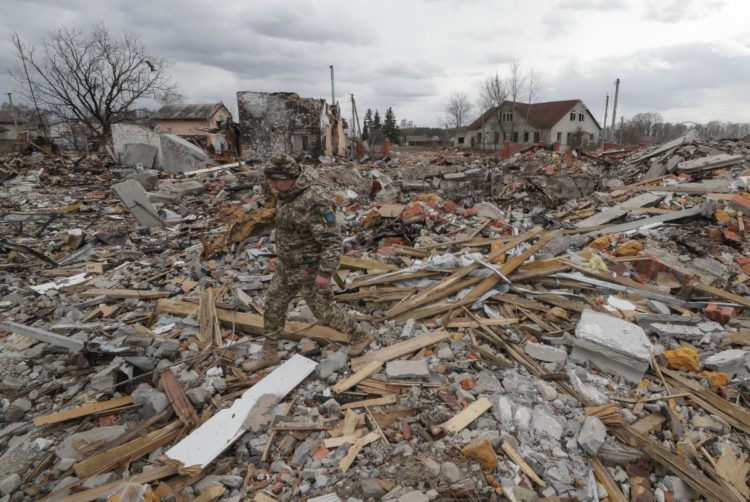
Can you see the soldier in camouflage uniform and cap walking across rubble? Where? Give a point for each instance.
(309, 247)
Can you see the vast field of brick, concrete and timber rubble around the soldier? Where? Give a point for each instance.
(549, 327)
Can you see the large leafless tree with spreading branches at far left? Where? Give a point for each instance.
(93, 78)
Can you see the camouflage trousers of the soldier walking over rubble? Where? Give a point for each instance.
(286, 284)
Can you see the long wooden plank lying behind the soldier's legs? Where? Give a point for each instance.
(252, 323)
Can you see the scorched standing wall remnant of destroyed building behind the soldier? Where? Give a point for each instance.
(284, 122)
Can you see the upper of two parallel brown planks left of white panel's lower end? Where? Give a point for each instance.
(129, 451)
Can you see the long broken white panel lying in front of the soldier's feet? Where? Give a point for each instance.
(209, 440)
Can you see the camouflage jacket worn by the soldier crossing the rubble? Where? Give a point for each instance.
(306, 229)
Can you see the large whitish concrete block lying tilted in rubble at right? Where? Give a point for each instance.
(615, 346)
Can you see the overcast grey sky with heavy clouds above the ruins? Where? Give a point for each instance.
(686, 59)
